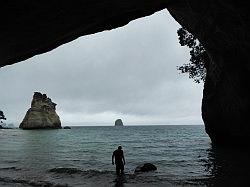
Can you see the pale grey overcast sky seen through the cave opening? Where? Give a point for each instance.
(128, 73)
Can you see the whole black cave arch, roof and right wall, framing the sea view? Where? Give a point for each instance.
(29, 28)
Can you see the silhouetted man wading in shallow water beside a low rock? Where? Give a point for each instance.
(119, 160)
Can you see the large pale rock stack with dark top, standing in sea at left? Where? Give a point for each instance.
(42, 114)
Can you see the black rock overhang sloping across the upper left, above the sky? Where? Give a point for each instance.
(30, 27)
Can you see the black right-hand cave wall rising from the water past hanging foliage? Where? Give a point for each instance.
(222, 26)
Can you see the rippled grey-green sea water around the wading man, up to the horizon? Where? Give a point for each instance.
(81, 156)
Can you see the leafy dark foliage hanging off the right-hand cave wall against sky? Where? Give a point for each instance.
(199, 58)
